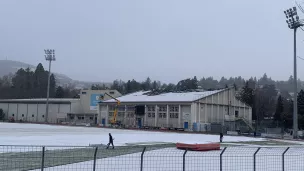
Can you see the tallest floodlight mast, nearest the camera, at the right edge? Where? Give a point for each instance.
(294, 23)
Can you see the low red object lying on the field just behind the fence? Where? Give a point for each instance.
(198, 147)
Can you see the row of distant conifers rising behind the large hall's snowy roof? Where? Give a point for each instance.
(130, 86)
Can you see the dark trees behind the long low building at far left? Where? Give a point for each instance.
(32, 84)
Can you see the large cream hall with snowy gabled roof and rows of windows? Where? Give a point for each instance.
(178, 110)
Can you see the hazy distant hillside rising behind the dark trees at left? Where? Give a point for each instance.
(11, 67)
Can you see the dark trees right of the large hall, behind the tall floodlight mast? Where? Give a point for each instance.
(270, 104)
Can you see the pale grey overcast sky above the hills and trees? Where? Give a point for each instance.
(168, 40)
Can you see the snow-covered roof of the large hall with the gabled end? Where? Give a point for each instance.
(165, 97)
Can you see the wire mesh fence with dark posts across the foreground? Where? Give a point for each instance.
(149, 158)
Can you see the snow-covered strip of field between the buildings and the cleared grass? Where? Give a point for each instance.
(34, 134)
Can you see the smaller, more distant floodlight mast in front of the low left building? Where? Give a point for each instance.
(49, 56)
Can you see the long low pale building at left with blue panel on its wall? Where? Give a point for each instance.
(77, 111)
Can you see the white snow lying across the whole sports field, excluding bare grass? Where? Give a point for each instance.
(234, 158)
